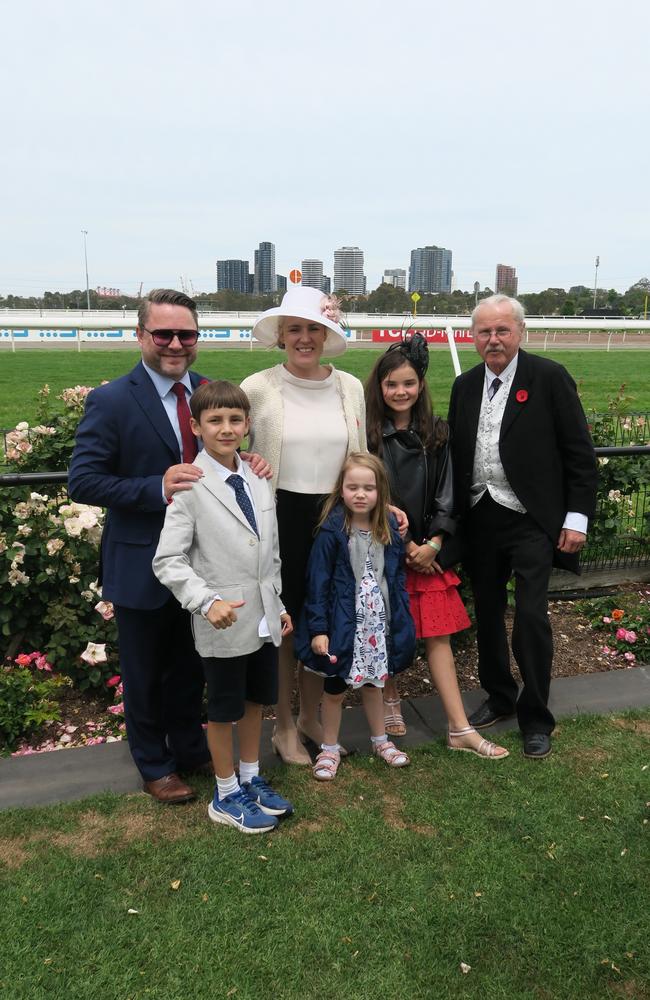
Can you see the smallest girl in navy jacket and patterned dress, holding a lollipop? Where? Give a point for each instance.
(356, 628)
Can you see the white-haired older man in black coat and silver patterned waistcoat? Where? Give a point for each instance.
(525, 483)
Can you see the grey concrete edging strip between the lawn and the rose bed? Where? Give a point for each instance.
(66, 775)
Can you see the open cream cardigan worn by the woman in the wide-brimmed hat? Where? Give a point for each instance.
(264, 390)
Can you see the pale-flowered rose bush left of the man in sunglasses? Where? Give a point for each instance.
(49, 554)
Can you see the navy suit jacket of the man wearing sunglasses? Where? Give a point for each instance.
(124, 445)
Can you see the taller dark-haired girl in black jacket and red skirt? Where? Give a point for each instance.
(414, 447)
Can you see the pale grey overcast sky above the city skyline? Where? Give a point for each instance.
(179, 133)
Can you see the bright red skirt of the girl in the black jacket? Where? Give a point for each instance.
(435, 603)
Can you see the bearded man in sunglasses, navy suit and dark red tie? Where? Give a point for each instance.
(133, 452)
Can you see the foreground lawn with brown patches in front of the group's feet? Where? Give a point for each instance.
(531, 872)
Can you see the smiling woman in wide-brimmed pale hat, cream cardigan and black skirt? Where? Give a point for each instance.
(306, 417)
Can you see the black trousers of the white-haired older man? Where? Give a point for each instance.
(501, 542)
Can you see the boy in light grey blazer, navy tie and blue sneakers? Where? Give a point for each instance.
(218, 554)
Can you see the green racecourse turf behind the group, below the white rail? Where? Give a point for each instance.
(598, 373)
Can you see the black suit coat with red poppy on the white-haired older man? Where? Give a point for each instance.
(545, 446)
